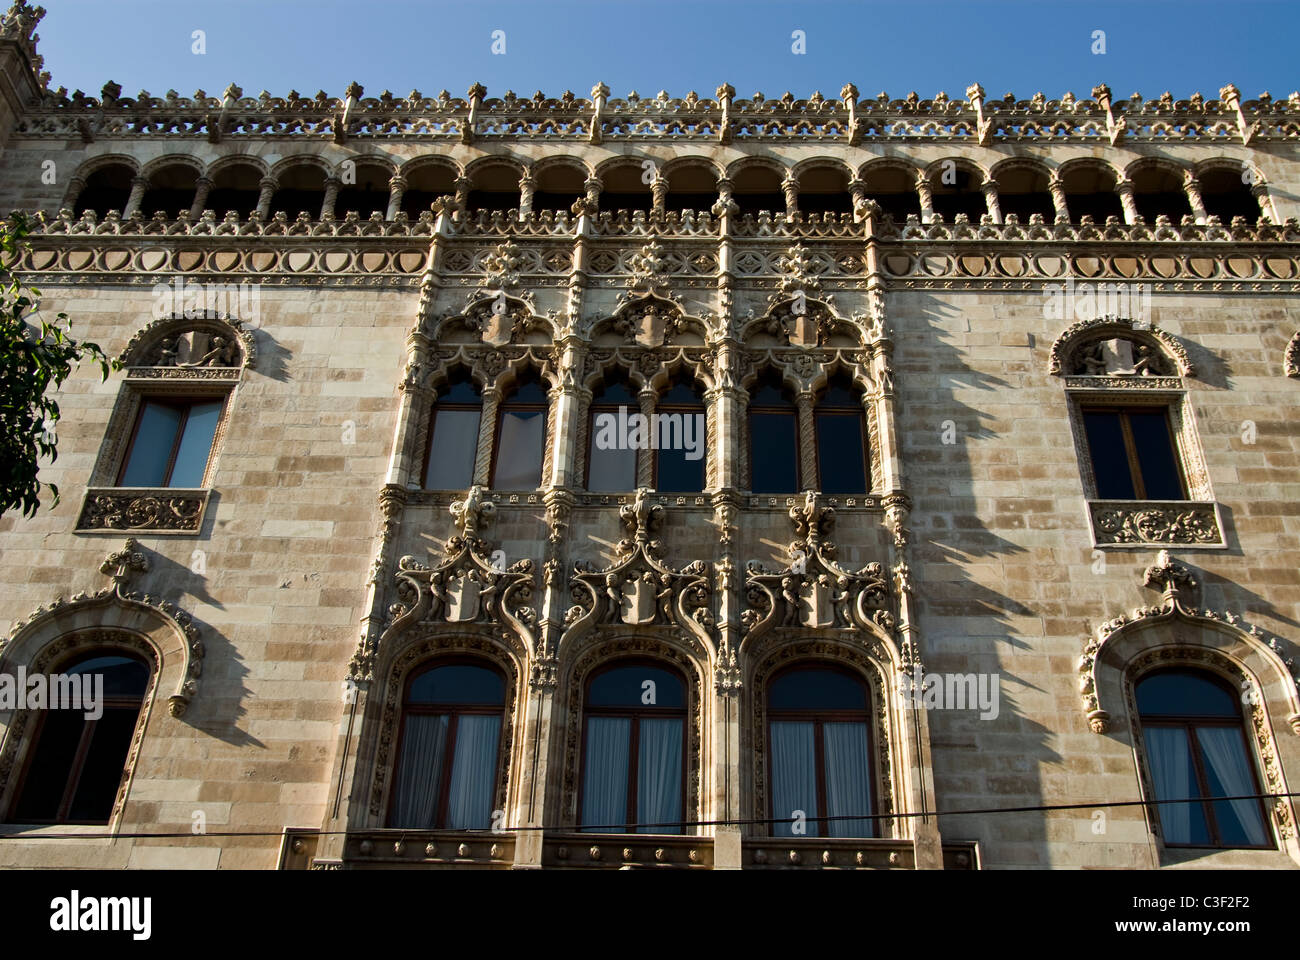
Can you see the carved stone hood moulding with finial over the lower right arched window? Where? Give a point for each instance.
(1119, 642)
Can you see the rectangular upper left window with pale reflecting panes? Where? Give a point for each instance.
(172, 444)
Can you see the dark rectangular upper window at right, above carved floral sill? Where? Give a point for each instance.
(1133, 455)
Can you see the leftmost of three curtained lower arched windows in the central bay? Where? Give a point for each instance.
(449, 749)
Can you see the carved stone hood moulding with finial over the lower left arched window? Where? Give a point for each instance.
(118, 608)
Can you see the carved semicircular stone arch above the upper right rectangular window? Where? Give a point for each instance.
(1119, 349)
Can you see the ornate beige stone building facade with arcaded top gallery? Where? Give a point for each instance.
(994, 284)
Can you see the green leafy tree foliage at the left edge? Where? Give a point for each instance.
(37, 356)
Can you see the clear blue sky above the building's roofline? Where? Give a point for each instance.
(1021, 46)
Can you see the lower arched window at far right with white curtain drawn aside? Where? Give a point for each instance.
(1191, 725)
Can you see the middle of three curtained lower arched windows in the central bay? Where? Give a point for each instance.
(634, 751)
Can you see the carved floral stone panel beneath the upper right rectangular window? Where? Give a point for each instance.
(1139, 524)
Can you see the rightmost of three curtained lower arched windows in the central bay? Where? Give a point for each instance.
(818, 723)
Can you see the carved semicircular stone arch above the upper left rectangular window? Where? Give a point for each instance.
(203, 348)
